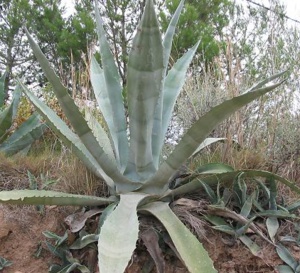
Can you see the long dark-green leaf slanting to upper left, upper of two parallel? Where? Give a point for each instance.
(75, 117)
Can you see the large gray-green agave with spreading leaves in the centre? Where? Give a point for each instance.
(132, 166)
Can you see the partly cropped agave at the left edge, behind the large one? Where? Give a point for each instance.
(30, 130)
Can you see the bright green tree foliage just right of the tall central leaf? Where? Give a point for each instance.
(201, 20)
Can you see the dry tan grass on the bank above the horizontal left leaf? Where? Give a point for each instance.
(69, 173)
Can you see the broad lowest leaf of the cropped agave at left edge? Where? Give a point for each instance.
(29, 131)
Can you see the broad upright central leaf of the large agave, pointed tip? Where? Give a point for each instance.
(144, 84)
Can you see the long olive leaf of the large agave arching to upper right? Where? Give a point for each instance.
(196, 135)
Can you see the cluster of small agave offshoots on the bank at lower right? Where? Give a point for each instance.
(246, 206)
